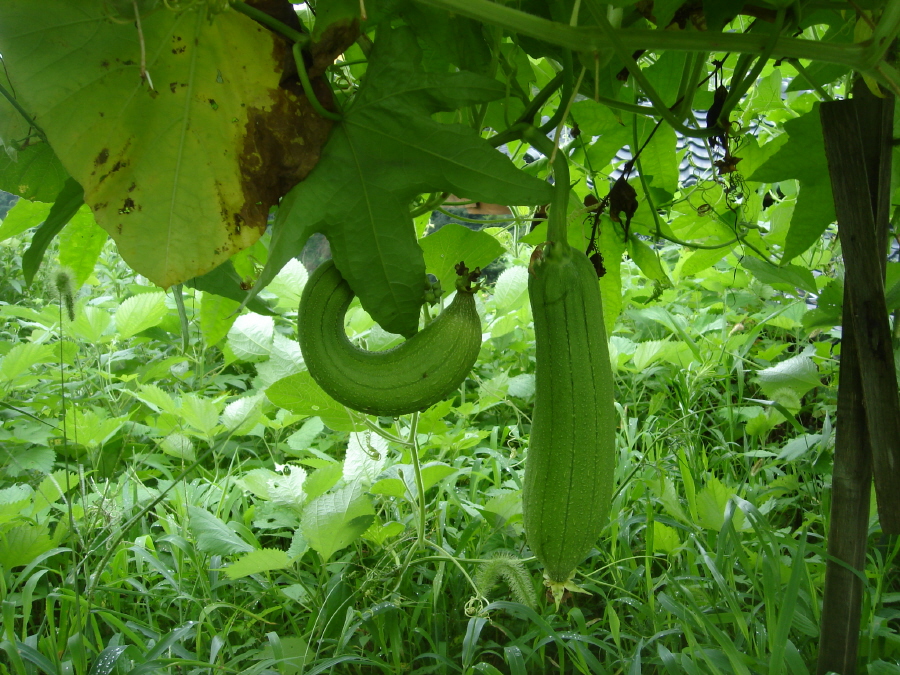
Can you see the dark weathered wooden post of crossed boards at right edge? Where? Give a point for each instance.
(857, 142)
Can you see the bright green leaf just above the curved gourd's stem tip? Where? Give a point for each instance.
(452, 244)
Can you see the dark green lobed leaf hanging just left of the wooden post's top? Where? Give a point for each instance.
(802, 158)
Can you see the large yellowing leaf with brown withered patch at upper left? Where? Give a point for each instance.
(181, 174)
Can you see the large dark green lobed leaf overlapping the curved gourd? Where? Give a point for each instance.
(387, 150)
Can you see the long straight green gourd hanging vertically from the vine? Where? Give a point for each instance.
(571, 453)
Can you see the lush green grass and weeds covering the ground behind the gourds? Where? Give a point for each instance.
(712, 562)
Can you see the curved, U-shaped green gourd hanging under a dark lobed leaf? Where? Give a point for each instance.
(416, 374)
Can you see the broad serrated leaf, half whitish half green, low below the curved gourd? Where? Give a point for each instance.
(335, 519)
